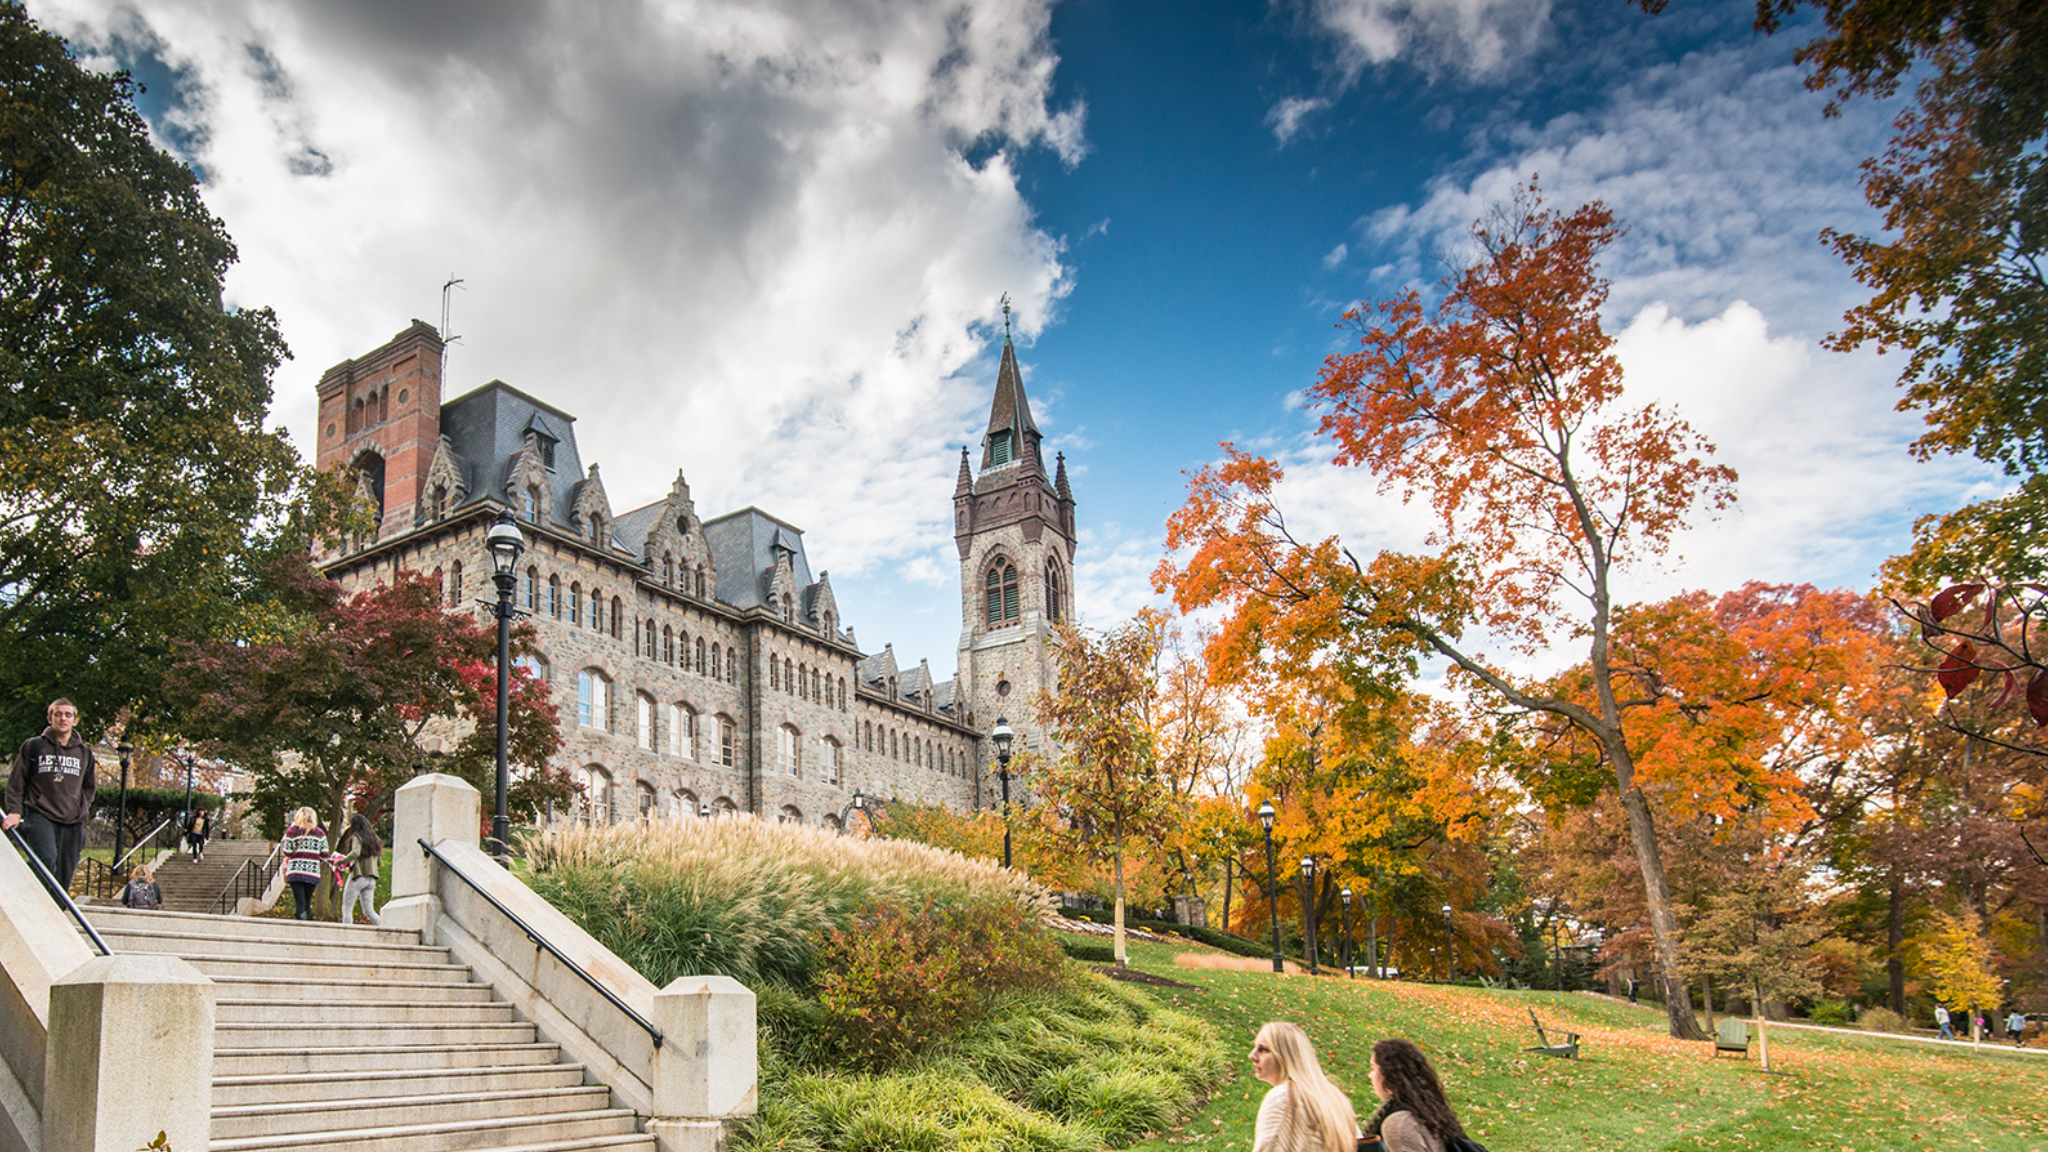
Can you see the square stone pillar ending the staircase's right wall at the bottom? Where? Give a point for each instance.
(706, 1071)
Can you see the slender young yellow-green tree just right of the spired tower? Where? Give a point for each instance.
(1107, 786)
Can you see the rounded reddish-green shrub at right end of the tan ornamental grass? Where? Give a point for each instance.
(902, 979)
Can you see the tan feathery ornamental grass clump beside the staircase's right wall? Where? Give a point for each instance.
(740, 897)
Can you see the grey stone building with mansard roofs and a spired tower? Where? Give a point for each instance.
(701, 665)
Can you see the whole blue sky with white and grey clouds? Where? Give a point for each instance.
(763, 243)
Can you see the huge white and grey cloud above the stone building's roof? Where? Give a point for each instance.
(755, 241)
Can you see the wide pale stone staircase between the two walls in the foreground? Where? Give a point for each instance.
(339, 1038)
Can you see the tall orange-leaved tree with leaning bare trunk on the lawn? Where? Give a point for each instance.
(1502, 411)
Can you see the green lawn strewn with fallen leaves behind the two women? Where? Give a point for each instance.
(1633, 1089)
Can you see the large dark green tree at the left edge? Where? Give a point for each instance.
(134, 464)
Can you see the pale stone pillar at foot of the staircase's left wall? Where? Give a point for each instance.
(130, 1057)
